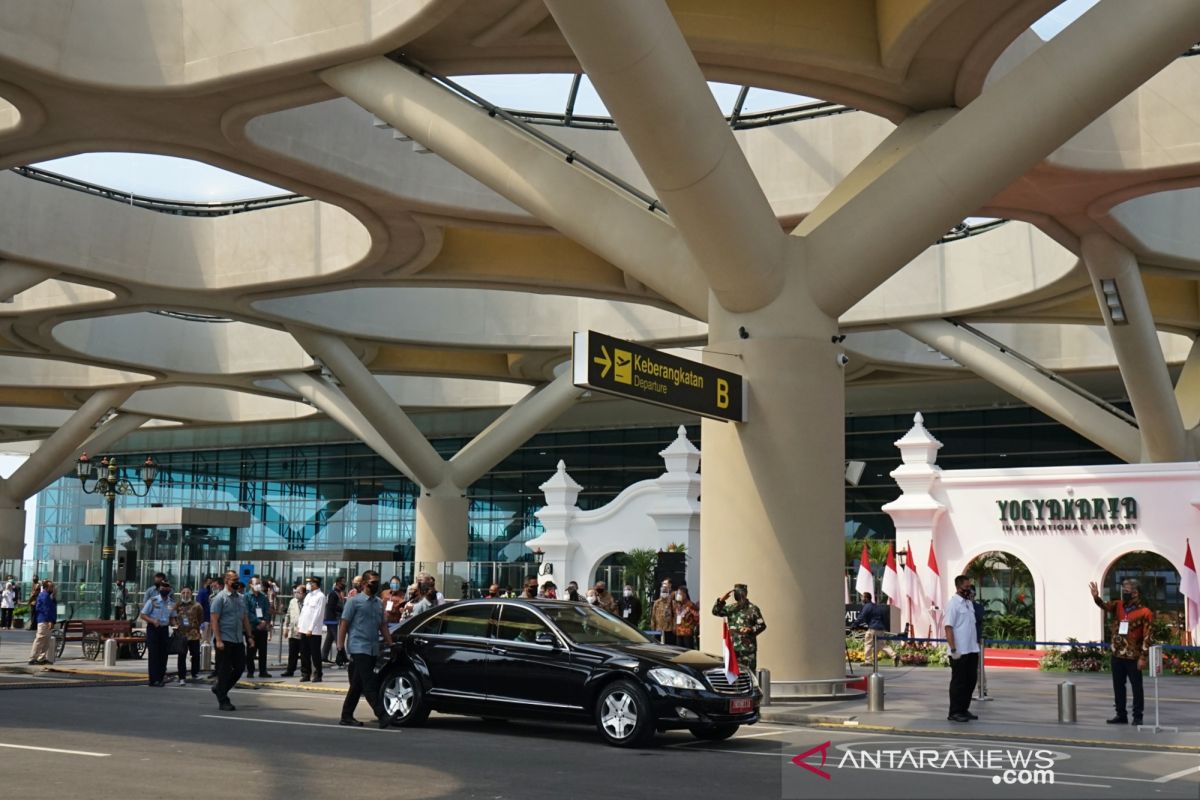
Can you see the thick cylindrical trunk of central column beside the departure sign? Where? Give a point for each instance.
(773, 507)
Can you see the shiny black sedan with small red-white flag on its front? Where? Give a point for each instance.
(550, 659)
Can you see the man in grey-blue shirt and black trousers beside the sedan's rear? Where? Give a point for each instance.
(359, 633)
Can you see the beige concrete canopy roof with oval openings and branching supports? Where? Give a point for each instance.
(436, 251)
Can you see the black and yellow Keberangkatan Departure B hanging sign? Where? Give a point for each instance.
(627, 370)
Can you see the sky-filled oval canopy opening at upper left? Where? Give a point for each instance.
(164, 178)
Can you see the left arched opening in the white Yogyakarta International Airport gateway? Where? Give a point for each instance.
(1005, 587)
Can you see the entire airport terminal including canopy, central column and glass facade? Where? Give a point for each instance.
(862, 209)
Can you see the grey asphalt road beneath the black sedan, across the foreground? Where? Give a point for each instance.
(110, 742)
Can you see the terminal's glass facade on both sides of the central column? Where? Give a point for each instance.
(333, 497)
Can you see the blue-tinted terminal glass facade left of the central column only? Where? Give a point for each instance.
(334, 497)
